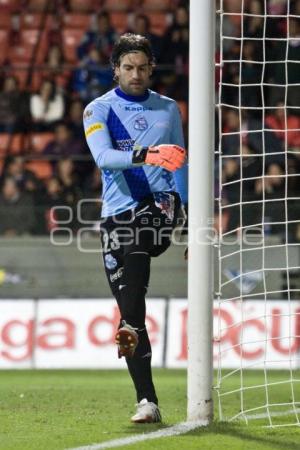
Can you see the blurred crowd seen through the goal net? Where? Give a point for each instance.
(258, 92)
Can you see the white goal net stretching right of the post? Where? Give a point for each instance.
(257, 314)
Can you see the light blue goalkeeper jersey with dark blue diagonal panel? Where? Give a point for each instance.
(113, 124)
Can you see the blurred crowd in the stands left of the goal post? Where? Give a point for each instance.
(45, 159)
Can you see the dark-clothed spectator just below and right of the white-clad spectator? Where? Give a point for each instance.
(64, 143)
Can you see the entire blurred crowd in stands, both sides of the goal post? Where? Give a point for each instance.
(44, 158)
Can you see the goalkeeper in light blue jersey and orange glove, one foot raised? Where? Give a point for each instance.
(135, 136)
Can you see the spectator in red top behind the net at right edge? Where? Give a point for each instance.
(281, 119)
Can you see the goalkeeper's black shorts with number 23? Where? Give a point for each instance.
(147, 228)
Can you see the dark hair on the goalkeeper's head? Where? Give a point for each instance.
(129, 43)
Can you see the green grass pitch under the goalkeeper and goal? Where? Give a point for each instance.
(56, 410)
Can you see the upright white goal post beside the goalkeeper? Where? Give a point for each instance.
(201, 151)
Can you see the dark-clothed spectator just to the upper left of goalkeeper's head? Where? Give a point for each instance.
(102, 38)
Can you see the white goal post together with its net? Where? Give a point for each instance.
(257, 210)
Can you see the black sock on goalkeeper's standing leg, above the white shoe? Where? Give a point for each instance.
(139, 367)
